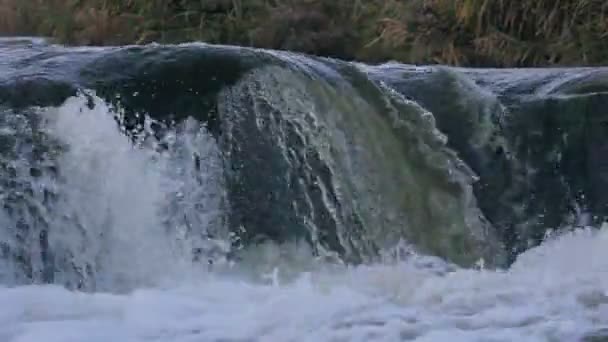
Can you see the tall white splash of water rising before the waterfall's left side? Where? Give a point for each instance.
(122, 216)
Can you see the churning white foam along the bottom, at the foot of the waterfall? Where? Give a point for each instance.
(556, 292)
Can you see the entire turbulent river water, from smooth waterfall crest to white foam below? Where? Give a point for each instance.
(209, 193)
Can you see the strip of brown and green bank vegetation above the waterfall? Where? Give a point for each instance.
(456, 32)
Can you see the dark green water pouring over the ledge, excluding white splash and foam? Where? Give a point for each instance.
(351, 159)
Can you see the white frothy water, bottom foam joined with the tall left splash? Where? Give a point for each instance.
(555, 292)
